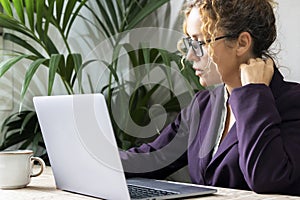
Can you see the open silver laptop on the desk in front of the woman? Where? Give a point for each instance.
(84, 155)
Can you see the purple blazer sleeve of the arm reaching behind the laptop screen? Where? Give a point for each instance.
(168, 152)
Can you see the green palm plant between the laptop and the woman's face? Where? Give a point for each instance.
(125, 16)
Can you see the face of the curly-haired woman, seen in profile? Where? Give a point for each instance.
(223, 68)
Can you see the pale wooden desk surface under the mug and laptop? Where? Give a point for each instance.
(43, 188)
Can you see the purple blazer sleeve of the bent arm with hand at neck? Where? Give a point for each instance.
(268, 132)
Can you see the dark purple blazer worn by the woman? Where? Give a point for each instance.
(261, 152)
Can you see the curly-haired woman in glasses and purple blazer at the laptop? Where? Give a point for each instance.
(244, 134)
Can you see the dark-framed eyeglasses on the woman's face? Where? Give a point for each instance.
(197, 45)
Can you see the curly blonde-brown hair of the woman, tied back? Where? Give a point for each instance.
(233, 17)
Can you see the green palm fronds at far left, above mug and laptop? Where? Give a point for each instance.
(29, 22)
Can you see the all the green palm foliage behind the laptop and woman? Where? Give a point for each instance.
(28, 24)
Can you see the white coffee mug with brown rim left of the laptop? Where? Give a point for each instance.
(16, 168)
